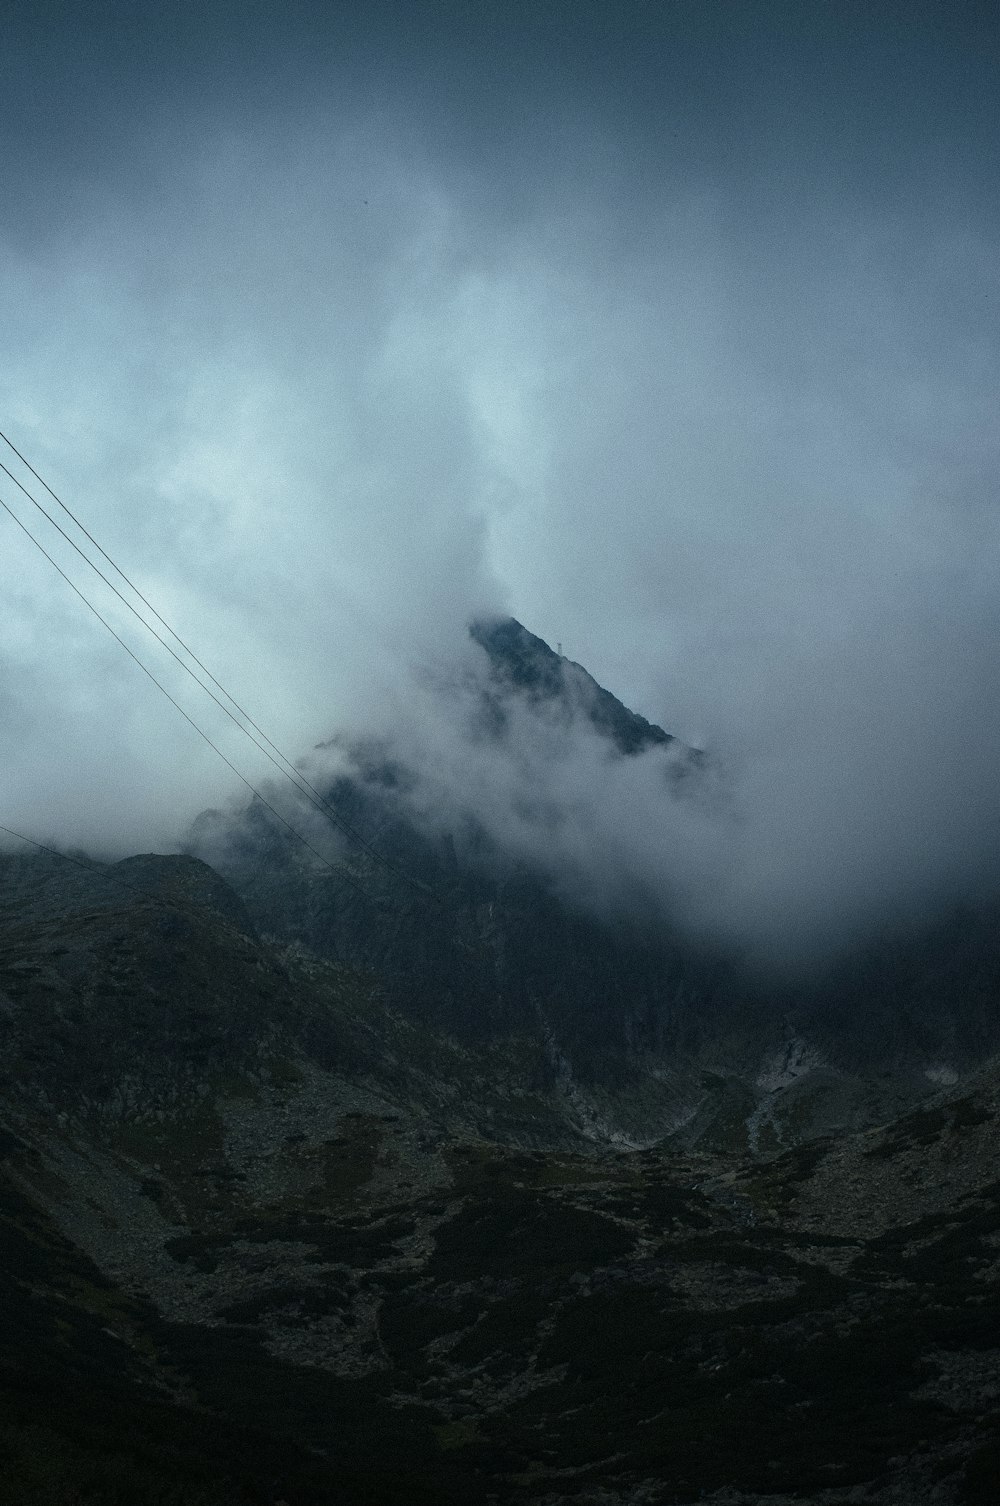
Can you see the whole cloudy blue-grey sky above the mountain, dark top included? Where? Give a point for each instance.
(669, 329)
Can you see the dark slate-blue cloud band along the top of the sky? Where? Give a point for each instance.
(864, 102)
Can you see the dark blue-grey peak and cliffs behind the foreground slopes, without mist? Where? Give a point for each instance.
(647, 1031)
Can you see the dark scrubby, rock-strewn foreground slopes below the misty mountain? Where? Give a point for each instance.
(264, 1239)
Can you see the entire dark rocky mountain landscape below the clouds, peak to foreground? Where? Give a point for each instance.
(332, 1187)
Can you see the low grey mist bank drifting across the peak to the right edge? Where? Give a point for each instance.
(787, 846)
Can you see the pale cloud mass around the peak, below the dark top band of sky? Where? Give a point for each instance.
(326, 406)
